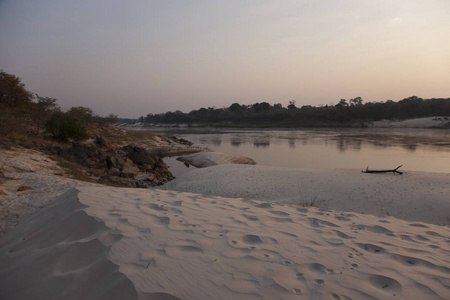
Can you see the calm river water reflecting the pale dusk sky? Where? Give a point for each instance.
(416, 149)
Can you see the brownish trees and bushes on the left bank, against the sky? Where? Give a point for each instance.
(23, 111)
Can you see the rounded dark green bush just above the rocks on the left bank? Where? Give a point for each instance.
(64, 126)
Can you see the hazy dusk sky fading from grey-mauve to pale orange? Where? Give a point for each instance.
(136, 57)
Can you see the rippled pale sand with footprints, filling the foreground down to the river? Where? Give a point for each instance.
(96, 242)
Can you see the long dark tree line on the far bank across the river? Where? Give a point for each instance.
(344, 113)
